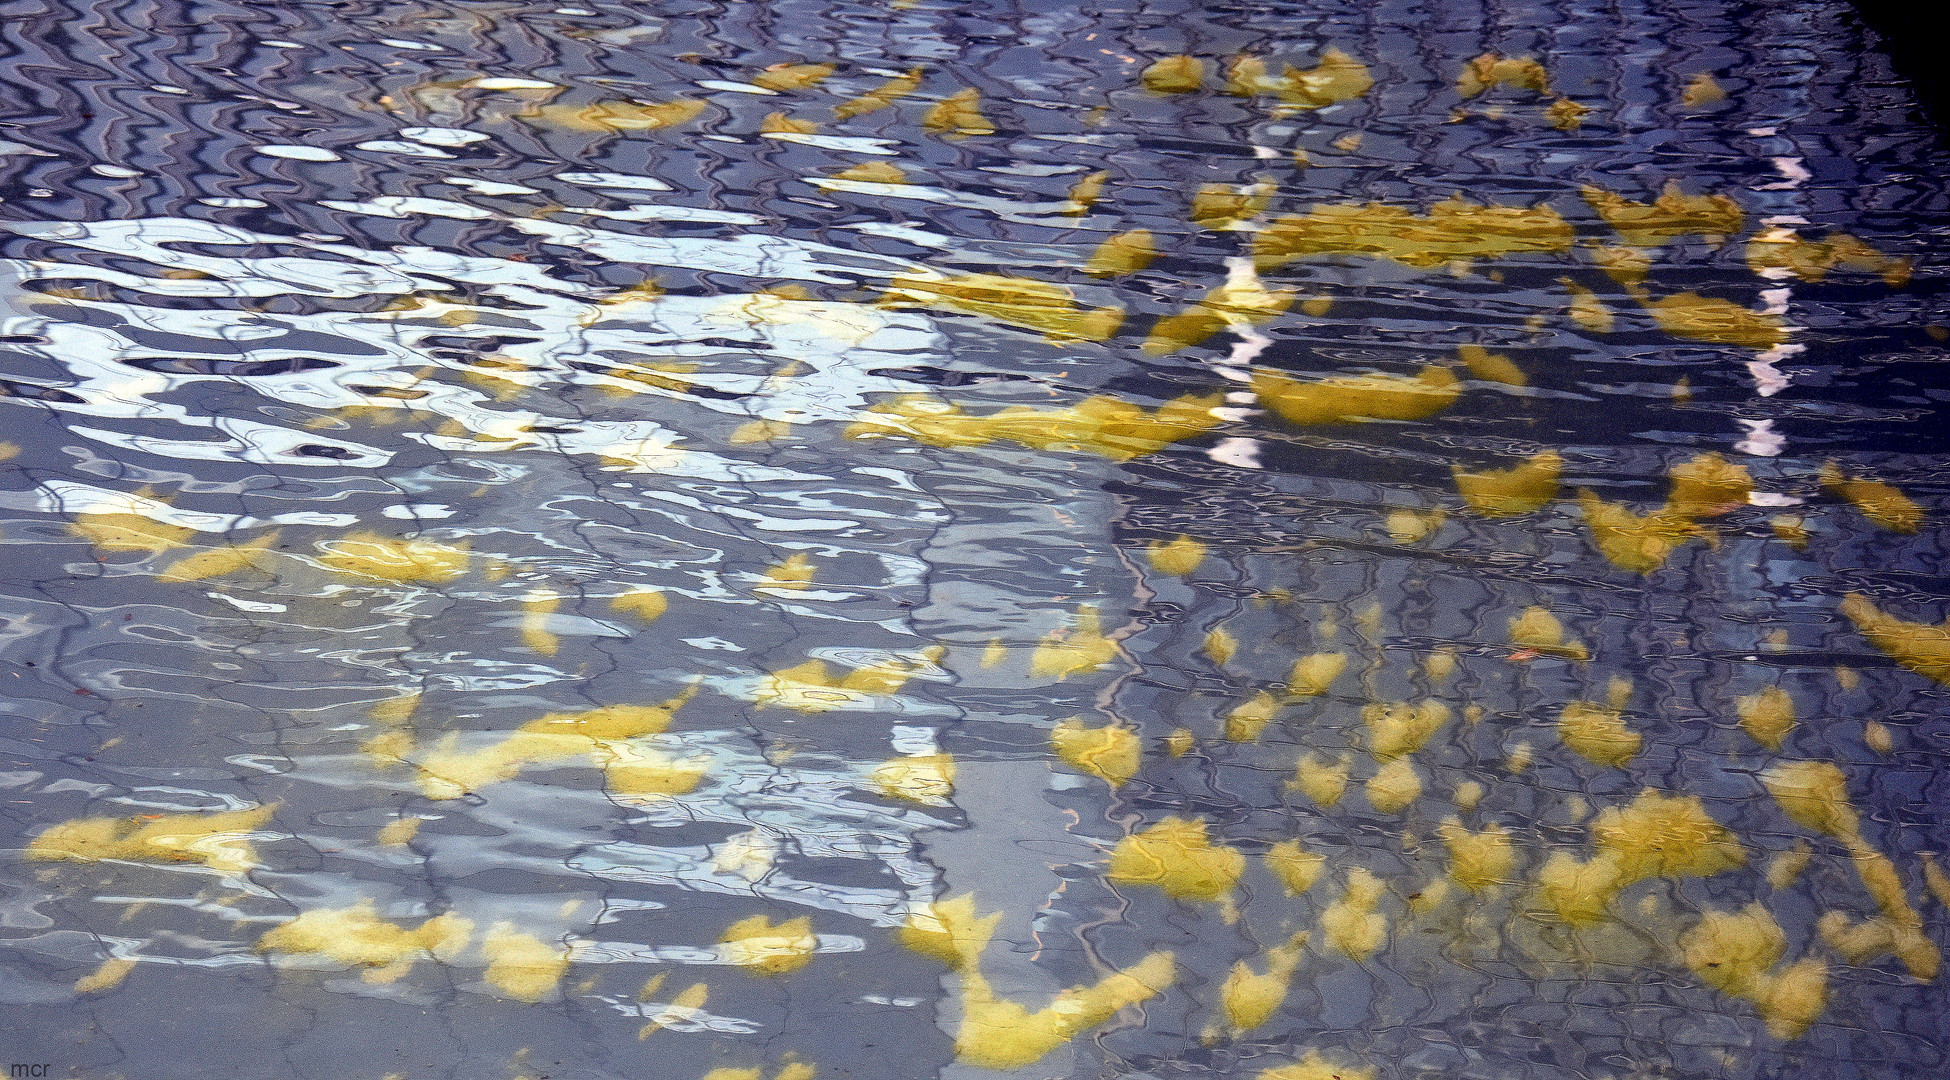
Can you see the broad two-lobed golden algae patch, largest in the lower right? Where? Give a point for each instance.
(1653, 837)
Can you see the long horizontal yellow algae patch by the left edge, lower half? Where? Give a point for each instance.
(219, 841)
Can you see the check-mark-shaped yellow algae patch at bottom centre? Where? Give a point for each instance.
(1001, 1034)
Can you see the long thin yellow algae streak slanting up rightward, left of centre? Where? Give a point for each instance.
(449, 775)
